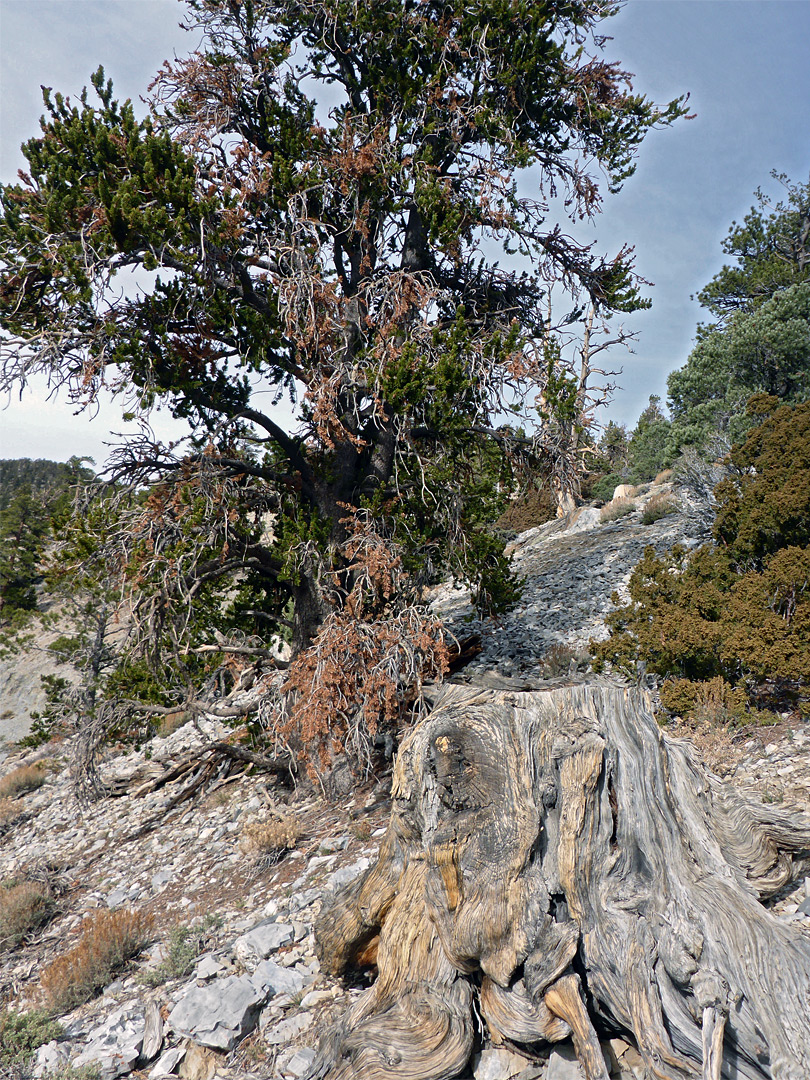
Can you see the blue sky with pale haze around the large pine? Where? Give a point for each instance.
(746, 64)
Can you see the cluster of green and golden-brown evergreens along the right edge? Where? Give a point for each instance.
(726, 626)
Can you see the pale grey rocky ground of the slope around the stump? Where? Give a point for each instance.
(229, 985)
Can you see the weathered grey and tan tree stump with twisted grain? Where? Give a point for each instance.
(558, 866)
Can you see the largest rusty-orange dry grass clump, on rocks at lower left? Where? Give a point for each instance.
(109, 940)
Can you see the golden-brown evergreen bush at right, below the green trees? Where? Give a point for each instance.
(738, 610)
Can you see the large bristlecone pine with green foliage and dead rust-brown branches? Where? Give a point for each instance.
(313, 210)
